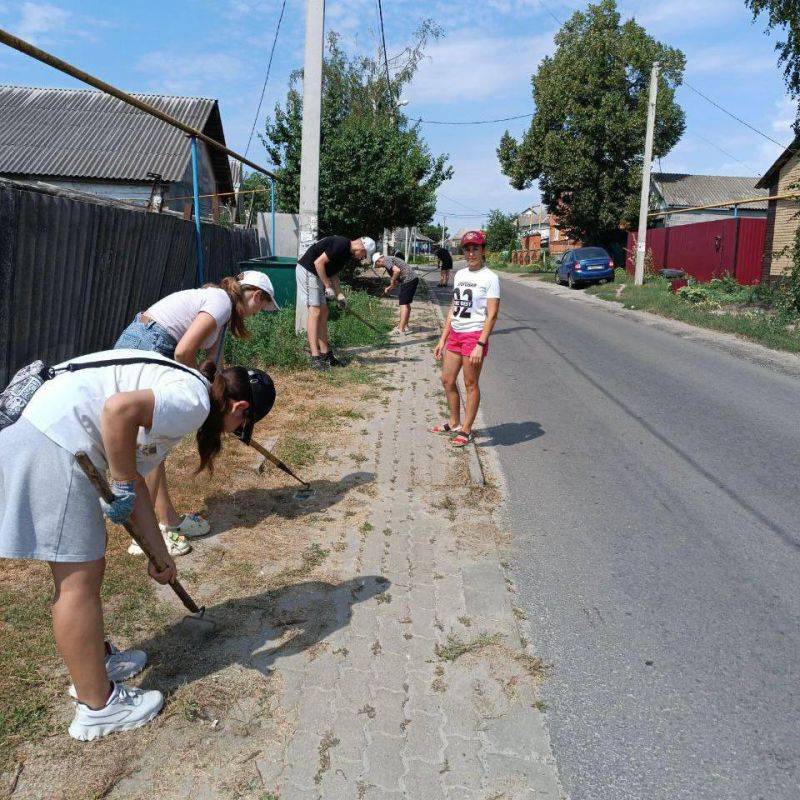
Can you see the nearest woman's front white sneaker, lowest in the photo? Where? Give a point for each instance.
(126, 709)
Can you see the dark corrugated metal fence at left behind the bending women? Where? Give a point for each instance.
(74, 272)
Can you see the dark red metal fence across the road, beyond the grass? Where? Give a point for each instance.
(707, 250)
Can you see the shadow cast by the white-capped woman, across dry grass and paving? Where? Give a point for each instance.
(248, 508)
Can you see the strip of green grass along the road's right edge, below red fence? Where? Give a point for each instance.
(749, 321)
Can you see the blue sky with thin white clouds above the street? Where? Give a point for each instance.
(481, 69)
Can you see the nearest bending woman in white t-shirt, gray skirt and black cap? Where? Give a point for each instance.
(126, 417)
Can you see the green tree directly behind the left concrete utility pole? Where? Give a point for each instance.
(376, 171)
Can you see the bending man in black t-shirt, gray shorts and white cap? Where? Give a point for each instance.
(317, 275)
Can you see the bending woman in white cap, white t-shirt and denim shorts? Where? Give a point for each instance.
(181, 326)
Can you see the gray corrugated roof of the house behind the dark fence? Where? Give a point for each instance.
(80, 133)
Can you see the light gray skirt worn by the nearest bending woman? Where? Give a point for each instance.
(49, 511)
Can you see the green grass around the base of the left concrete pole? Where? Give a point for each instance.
(274, 342)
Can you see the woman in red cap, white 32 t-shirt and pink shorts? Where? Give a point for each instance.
(465, 339)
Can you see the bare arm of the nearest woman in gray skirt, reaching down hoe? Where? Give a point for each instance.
(122, 416)
